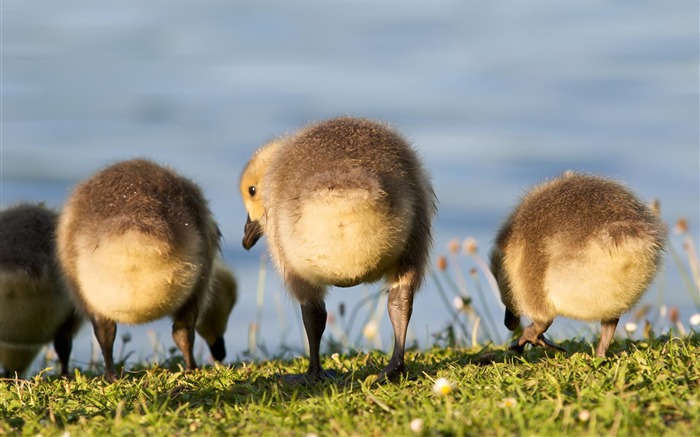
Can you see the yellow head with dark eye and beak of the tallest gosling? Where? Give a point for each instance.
(252, 192)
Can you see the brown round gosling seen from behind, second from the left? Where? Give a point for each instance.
(138, 242)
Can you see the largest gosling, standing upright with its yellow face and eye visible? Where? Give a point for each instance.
(342, 202)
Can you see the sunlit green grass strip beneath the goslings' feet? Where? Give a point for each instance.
(647, 387)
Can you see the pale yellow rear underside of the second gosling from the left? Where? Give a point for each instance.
(135, 278)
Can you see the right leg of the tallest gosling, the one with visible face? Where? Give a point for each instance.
(400, 307)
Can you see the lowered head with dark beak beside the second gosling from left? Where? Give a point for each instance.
(214, 318)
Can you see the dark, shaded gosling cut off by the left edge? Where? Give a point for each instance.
(35, 306)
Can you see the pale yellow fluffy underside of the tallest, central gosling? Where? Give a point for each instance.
(342, 237)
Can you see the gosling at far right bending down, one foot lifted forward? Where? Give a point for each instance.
(578, 246)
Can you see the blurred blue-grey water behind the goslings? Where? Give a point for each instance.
(497, 96)
